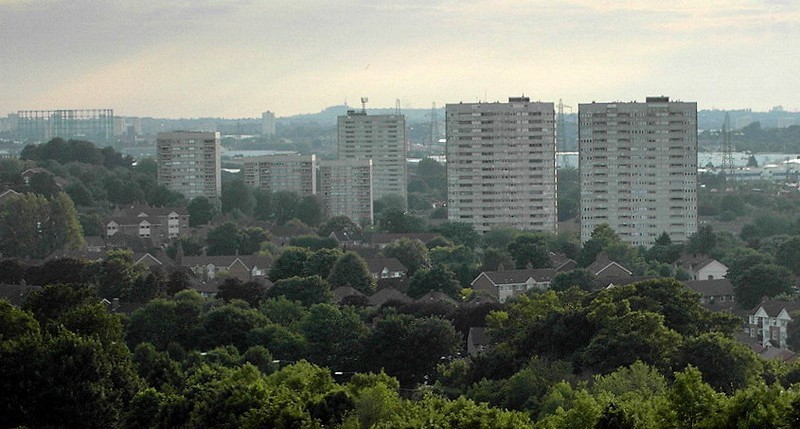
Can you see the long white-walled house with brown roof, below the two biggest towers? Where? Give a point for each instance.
(505, 284)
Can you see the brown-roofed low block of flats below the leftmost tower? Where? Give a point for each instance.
(157, 224)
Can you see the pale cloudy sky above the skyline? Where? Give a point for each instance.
(238, 58)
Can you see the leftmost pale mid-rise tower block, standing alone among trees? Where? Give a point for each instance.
(188, 162)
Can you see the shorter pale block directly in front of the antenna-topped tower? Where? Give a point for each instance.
(346, 189)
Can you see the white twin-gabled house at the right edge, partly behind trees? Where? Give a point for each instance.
(767, 322)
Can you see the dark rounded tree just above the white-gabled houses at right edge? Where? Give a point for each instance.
(759, 281)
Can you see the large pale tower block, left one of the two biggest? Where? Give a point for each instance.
(501, 164)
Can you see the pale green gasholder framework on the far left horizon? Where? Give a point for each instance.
(95, 125)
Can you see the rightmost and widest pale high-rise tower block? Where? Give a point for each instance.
(638, 169)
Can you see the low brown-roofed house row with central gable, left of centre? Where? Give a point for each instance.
(241, 267)
